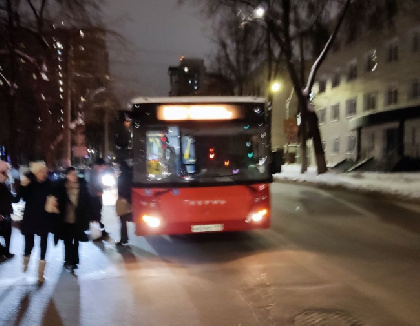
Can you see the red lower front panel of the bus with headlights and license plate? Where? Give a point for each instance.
(201, 209)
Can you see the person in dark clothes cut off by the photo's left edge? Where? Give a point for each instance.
(6, 209)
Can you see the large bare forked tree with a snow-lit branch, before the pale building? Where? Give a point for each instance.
(292, 25)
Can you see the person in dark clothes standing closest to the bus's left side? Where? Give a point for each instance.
(124, 191)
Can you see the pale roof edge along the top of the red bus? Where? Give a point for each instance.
(197, 99)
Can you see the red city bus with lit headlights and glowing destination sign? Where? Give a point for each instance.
(200, 164)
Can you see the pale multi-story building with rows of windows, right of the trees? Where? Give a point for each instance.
(367, 94)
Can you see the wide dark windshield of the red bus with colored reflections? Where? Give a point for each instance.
(180, 154)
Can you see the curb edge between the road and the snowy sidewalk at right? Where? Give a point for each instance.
(369, 192)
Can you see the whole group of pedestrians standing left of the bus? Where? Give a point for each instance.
(64, 208)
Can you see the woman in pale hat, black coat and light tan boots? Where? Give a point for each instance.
(36, 220)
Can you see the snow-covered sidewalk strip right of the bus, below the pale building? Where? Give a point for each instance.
(404, 185)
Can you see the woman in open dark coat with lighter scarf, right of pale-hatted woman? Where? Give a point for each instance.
(74, 206)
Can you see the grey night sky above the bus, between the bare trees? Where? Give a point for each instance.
(160, 32)
